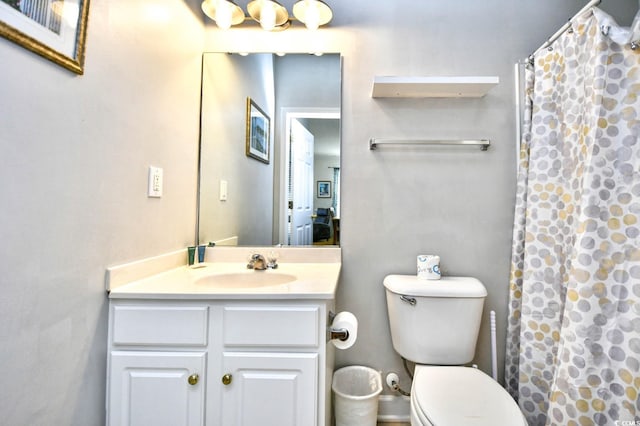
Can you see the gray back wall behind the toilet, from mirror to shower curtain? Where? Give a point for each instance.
(457, 204)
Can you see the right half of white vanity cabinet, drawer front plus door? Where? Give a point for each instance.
(271, 362)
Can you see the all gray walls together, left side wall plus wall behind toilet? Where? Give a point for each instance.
(75, 152)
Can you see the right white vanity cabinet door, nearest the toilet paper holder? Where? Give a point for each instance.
(270, 389)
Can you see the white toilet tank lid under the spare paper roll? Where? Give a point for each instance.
(411, 285)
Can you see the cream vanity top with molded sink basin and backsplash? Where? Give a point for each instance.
(302, 273)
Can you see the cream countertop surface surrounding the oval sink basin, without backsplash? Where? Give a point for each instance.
(313, 281)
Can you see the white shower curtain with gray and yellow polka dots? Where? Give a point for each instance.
(573, 338)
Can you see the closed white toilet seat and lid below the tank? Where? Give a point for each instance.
(446, 396)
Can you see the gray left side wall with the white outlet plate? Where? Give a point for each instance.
(74, 158)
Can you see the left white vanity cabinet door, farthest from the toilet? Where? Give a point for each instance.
(156, 388)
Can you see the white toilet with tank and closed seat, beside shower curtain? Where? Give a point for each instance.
(435, 324)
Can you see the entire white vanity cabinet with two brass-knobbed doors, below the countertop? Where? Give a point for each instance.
(219, 362)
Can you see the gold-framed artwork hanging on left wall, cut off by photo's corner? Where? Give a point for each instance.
(53, 29)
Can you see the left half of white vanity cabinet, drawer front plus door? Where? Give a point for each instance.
(157, 363)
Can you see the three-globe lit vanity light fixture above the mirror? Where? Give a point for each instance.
(271, 15)
